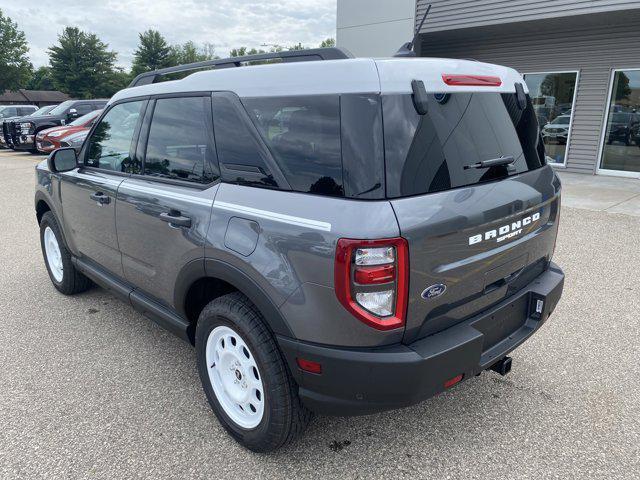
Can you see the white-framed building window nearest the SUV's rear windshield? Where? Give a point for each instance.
(553, 96)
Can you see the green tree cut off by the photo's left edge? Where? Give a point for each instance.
(15, 67)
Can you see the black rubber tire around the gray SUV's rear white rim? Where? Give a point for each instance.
(284, 418)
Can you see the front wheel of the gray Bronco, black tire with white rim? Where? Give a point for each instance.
(57, 258)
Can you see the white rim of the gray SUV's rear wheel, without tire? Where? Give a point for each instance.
(235, 377)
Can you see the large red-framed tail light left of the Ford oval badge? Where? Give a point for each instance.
(372, 280)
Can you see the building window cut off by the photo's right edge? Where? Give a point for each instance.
(621, 143)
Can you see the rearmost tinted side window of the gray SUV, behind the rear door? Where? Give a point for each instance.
(303, 134)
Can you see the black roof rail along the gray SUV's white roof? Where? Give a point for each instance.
(288, 56)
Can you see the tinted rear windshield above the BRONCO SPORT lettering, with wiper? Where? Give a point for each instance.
(429, 153)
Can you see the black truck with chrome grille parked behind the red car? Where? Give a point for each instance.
(24, 130)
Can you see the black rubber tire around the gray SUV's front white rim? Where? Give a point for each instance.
(72, 280)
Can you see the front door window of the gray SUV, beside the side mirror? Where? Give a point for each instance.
(110, 144)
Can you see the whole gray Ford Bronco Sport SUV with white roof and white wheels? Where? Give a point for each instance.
(333, 235)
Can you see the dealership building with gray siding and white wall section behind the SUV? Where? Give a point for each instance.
(580, 60)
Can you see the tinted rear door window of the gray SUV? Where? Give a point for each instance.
(179, 145)
